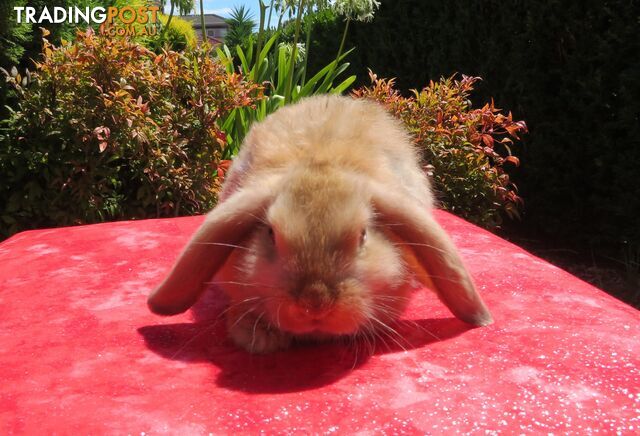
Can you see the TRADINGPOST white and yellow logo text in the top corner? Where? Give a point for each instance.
(125, 21)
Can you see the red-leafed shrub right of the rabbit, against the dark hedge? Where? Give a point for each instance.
(464, 150)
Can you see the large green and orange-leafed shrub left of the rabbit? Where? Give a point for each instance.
(109, 130)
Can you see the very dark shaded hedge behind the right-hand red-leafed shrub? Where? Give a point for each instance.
(570, 68)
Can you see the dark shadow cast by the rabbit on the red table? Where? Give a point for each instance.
(302, 367)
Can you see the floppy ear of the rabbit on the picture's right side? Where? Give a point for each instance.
(436, 254)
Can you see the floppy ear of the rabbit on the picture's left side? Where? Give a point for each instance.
(224, 227)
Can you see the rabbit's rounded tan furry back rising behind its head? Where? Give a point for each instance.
(340, 133)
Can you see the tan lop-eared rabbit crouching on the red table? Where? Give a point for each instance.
(323, 225)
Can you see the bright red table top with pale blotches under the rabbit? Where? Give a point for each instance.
(80, 352)
